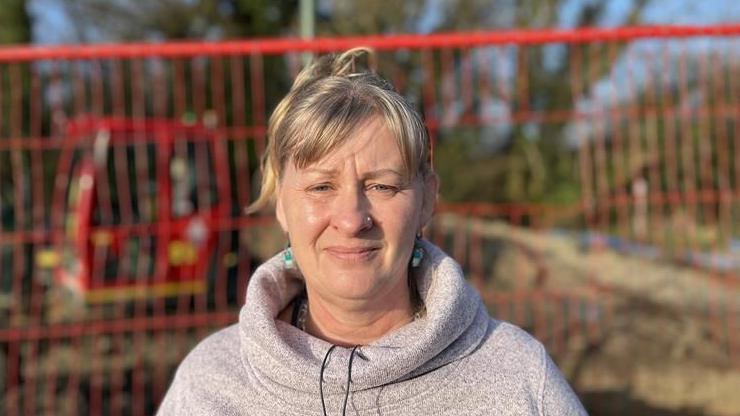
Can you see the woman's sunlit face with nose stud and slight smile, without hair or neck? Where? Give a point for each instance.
(352, 218)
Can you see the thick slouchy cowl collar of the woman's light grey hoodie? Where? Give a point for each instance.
(287, 361)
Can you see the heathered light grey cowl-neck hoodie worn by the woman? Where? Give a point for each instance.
(455, 360)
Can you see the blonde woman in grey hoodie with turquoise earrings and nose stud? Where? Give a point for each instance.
(360, 315)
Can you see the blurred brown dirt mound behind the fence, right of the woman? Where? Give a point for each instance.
(668, 339)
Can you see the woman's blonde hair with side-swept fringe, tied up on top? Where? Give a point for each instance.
(329, 99)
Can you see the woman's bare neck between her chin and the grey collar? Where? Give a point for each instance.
(357, 322)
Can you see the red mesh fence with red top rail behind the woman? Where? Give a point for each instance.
(125, 170)
